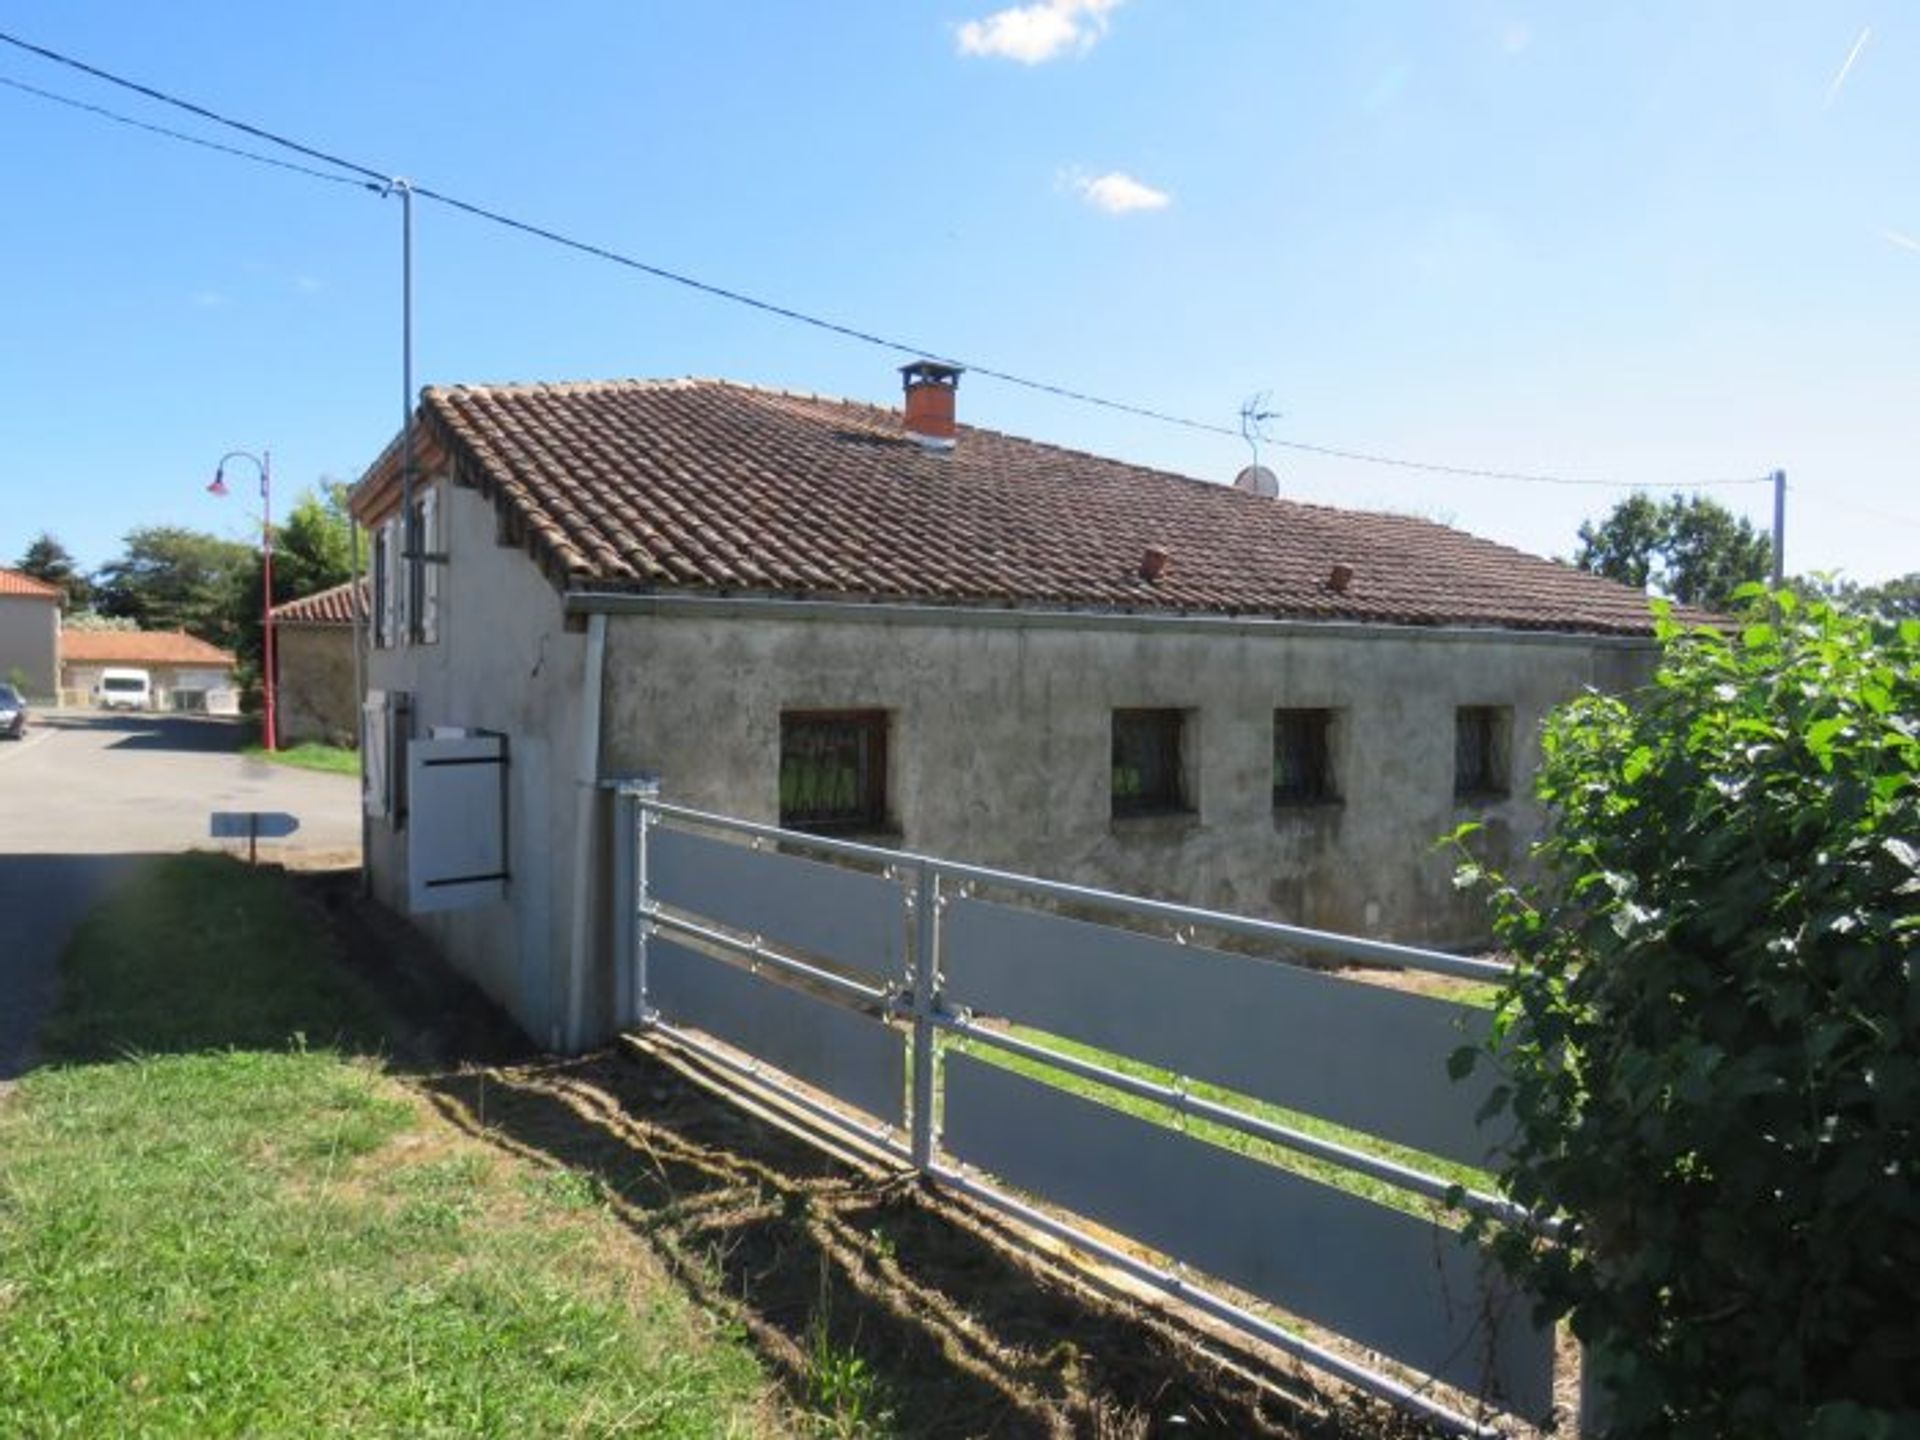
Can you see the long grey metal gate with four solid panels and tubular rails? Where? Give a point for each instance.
(1068, 1055)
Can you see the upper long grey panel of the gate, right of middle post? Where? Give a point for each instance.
(1358, 1055)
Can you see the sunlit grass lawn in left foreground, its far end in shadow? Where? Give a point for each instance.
(222, 1214)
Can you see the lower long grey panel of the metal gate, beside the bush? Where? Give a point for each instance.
(1387, 1280)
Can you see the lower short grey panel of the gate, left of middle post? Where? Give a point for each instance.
(850, 1057)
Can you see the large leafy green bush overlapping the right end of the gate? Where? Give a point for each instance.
(1712, 1042)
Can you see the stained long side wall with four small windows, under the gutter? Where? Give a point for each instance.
(999, 748)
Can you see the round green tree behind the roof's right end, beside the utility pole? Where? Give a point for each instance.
(1687, 546)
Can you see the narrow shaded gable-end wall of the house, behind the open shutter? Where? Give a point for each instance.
(502, 663)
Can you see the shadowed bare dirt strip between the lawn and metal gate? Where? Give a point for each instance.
(880, 1307)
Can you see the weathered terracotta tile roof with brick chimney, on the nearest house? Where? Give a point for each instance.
(715, 487)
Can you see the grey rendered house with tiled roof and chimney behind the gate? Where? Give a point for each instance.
(807, 612)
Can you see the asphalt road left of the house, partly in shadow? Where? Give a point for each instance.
(87, 794)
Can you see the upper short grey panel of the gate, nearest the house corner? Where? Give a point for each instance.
(853, 919)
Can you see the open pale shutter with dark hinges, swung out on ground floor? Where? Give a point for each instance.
(456, 823)
